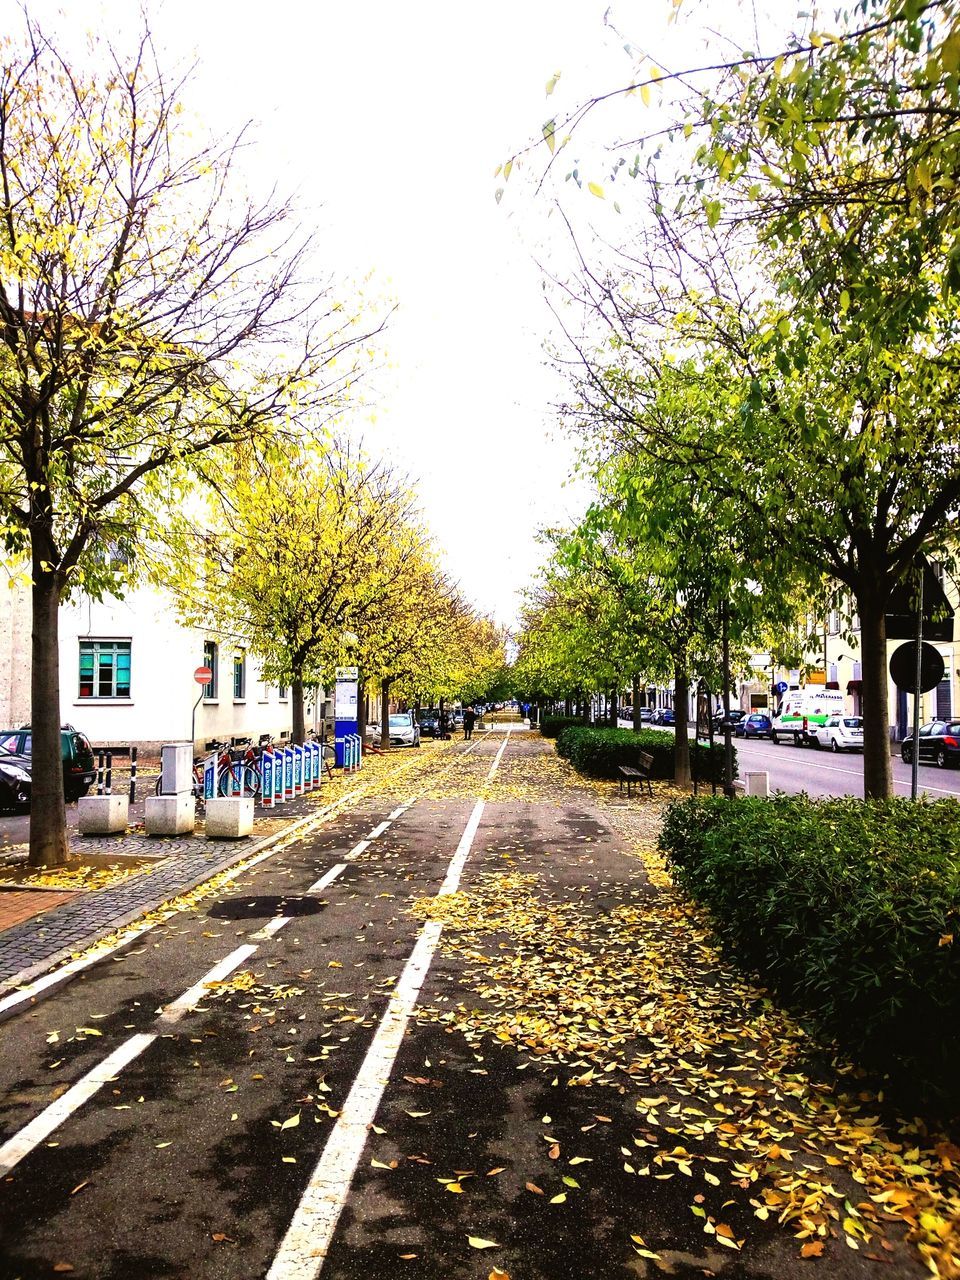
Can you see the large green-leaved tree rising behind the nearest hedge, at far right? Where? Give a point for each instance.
(810, 245)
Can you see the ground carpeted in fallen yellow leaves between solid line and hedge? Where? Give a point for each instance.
(632, 999)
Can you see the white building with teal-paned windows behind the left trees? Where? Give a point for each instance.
(127, 675)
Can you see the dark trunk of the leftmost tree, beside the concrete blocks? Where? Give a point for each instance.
(48, 819)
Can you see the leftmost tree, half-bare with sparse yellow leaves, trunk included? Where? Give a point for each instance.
(147, 317)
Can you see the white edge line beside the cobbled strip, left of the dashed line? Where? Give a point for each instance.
(43, 967)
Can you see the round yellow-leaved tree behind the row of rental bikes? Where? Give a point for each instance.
(304, 543)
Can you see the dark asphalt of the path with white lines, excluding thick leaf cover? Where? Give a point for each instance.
(245, 1094)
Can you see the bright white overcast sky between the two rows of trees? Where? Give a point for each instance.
(388, 120)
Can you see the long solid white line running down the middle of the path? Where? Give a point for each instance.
(304, 1247)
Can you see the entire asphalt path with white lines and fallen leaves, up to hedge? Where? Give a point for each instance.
(464, 1030)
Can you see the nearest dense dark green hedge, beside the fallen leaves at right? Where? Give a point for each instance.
(847, 908)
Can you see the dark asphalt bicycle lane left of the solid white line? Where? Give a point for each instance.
(188, 1136)
